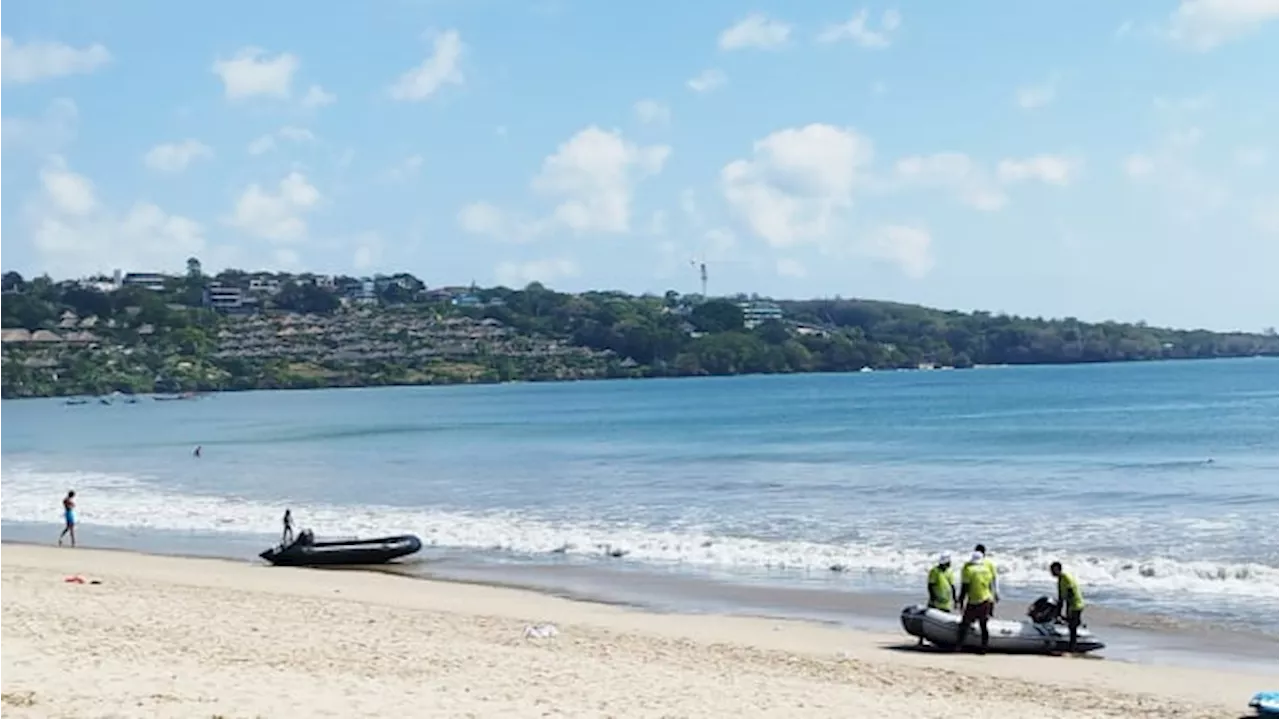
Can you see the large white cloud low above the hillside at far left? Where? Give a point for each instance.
(76, 235)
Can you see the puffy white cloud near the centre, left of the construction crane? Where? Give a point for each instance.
(593, 175)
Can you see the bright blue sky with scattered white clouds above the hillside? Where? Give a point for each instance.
(1092, 159)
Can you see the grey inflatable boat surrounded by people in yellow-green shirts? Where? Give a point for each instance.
(1040, 634)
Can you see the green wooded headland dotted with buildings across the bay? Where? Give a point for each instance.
(159, 335)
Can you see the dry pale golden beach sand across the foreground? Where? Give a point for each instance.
(176, 638)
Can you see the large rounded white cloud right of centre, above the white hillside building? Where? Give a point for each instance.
(797, 182)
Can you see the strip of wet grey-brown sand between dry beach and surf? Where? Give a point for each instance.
(1132, 639)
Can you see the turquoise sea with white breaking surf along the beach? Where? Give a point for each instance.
(1155, 483)
